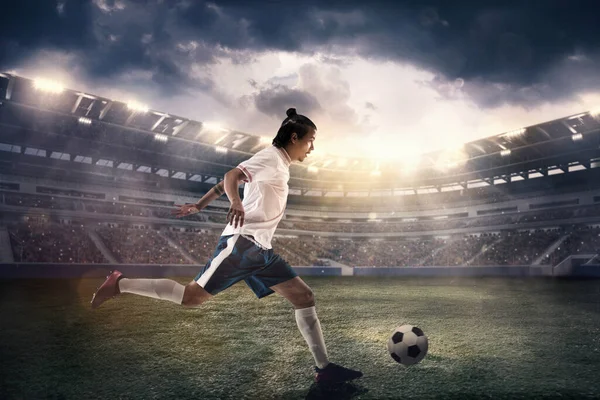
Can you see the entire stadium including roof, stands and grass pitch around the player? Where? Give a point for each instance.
(472, 244)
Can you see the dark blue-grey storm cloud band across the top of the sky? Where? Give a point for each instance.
(513, 45)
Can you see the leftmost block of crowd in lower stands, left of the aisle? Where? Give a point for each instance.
(50, 242)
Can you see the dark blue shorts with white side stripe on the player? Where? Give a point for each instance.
(237, 258)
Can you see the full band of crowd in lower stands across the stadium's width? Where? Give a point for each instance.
(71, 243)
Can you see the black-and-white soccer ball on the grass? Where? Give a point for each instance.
(408, 345)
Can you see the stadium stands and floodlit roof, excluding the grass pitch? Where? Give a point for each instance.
(91, 181)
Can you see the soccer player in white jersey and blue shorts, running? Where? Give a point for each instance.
(244, 249)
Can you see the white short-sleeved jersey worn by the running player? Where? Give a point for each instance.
(265, 194)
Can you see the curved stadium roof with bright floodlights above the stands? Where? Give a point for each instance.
(128, 135)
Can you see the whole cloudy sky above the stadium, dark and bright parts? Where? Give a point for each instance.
(379, 79)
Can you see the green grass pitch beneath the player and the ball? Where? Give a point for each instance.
(488, 338)
